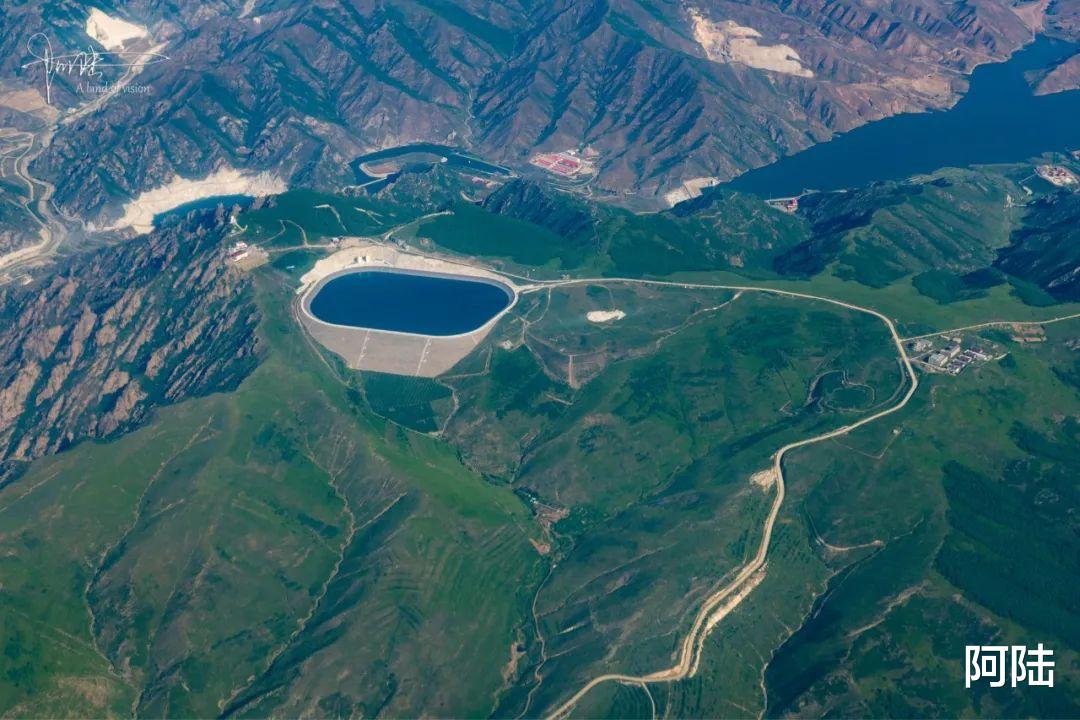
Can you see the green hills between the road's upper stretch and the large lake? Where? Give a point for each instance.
(921, 252)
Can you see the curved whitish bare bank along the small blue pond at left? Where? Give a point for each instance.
(139, 214)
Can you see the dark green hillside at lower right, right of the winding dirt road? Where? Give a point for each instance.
(901, 545)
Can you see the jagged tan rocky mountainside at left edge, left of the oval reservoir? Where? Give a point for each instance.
(91, 350)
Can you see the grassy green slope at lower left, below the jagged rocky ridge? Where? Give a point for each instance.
(245, 550)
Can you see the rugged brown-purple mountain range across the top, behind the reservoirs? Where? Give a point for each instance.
(304, 88)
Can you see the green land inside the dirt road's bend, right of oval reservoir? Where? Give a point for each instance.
(643, 476)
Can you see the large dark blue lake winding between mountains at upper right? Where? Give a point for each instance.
(998, 121)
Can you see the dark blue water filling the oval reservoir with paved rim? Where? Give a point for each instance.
(406, 303)
